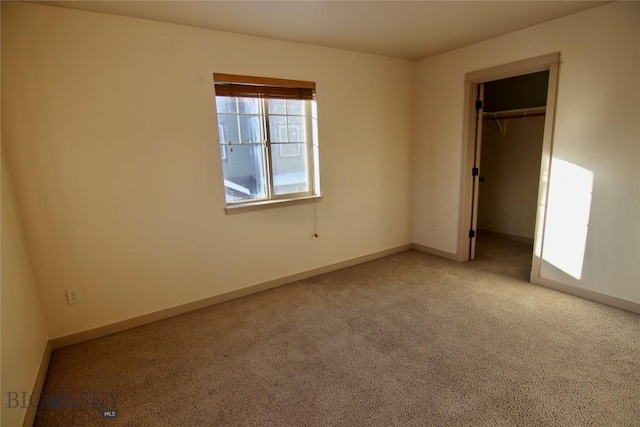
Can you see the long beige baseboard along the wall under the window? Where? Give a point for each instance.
(217, 299)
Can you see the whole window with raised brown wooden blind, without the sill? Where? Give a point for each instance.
(268, 138)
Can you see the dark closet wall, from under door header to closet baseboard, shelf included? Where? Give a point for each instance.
(511, 147)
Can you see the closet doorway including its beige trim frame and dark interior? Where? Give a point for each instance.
(509, 125)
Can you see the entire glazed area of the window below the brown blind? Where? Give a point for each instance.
(246, 170)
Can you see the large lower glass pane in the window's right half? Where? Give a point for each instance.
(290, 173)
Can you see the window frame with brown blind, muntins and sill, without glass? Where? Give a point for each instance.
(265, 89)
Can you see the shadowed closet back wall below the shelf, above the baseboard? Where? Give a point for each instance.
(510, 166)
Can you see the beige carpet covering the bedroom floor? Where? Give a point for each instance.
(408, 340)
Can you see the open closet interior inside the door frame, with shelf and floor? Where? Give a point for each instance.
(509, 148)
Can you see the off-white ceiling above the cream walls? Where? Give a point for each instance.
(404, 29)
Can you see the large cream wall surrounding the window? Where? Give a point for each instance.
(110, 128)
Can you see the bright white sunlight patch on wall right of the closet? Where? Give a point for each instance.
(568, 209)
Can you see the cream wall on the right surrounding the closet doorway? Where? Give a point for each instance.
(597, 129)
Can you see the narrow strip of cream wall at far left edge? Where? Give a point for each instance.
(24, 335)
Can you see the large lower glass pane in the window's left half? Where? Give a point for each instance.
(244, 172)
